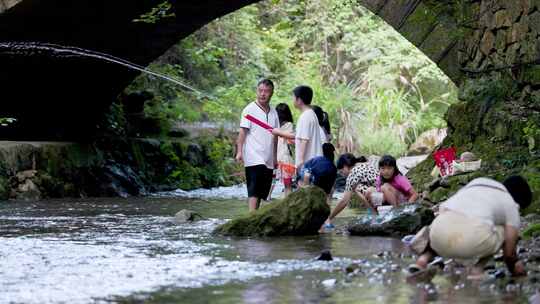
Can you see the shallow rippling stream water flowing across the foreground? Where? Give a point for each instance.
(132, 251)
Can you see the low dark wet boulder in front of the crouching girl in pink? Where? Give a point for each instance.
(398, 222)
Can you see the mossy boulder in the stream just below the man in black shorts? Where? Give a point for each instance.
(301, 213)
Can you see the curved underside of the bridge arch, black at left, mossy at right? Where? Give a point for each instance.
(54, 97)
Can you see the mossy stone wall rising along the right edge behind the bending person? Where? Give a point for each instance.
(498, 117)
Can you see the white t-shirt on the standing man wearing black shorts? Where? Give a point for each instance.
(258, 147)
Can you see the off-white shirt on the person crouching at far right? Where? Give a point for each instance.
(485, 199)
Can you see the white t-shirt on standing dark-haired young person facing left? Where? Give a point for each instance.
(308, 129)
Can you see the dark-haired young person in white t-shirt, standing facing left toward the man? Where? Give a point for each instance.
(308, 137)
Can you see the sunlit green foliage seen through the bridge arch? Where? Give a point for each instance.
(379, 90)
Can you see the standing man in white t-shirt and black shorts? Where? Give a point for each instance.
(256, 146)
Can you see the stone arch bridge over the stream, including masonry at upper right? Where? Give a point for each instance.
(61, 98)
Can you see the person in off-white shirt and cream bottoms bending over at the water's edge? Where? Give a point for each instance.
(479, 220)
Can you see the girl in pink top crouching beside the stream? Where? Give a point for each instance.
(392, 187)
